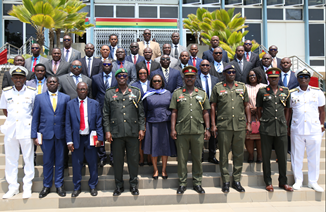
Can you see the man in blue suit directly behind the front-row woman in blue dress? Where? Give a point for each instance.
(172, 78)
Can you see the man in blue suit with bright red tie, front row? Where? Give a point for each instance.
(83, 122)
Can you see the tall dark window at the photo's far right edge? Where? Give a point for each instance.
(316, 39)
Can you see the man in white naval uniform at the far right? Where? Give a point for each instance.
(307, 104)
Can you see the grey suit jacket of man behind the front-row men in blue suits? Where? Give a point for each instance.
(68, 86)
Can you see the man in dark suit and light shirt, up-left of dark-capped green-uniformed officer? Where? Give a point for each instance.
(217, 66)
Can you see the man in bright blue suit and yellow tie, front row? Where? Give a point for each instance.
(51, 106)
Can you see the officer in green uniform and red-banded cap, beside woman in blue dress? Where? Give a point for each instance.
(189, 113)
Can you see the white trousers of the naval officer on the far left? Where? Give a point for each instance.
(12, 156)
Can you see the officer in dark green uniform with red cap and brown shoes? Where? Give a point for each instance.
(273, 104)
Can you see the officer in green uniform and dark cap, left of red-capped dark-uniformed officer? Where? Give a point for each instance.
(231, 102)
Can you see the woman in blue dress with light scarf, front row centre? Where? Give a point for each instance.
(158, 116)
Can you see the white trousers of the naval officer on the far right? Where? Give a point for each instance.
(312, 144)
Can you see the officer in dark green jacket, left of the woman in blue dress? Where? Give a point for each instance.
(124, 126)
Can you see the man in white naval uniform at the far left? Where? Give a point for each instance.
(17, 104)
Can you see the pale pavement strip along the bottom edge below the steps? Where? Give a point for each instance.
(220, 207)
